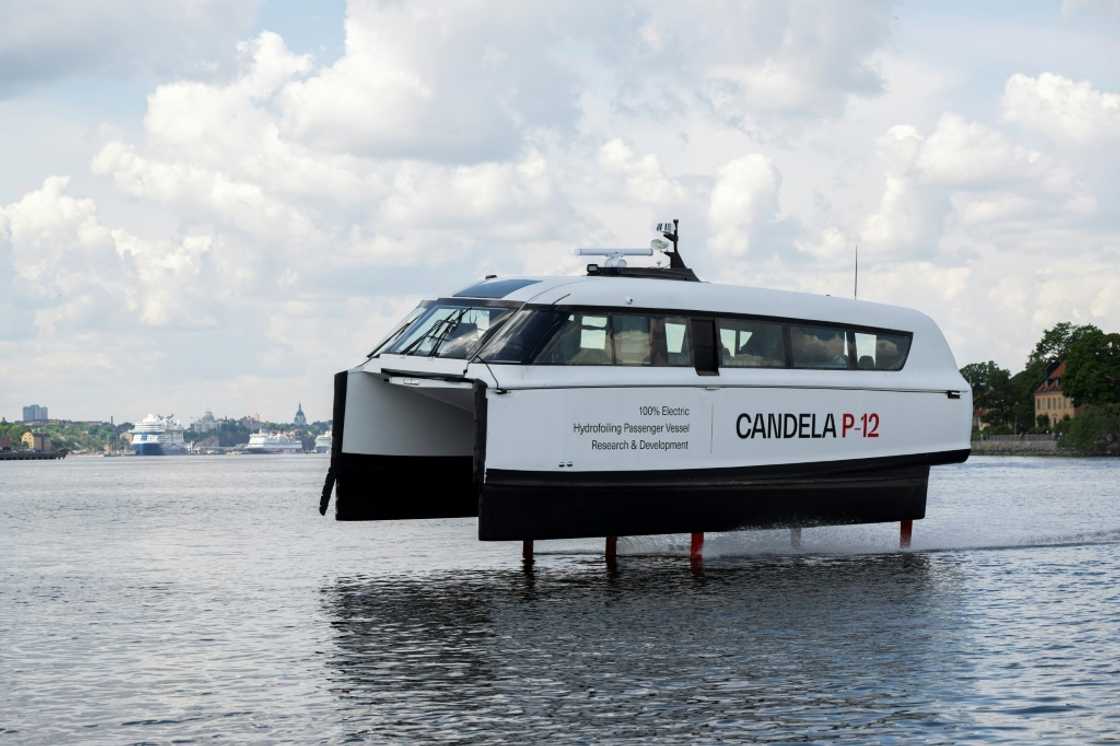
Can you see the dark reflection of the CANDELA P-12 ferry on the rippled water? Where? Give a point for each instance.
(820, 646)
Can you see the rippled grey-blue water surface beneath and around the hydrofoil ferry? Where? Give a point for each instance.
(155, 600)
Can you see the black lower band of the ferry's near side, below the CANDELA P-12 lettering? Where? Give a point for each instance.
(557, 506)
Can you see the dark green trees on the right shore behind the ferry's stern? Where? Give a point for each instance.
(1006, 403)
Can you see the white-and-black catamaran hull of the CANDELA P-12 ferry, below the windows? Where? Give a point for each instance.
(627, 461)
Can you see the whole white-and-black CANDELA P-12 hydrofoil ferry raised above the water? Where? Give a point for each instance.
(643, 402)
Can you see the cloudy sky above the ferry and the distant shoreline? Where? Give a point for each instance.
(218, 204)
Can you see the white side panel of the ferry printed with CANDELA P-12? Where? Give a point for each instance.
(704, 427)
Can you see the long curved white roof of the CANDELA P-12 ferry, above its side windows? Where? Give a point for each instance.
(690, 296)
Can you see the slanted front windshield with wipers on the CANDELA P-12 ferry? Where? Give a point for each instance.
(447, 330)
